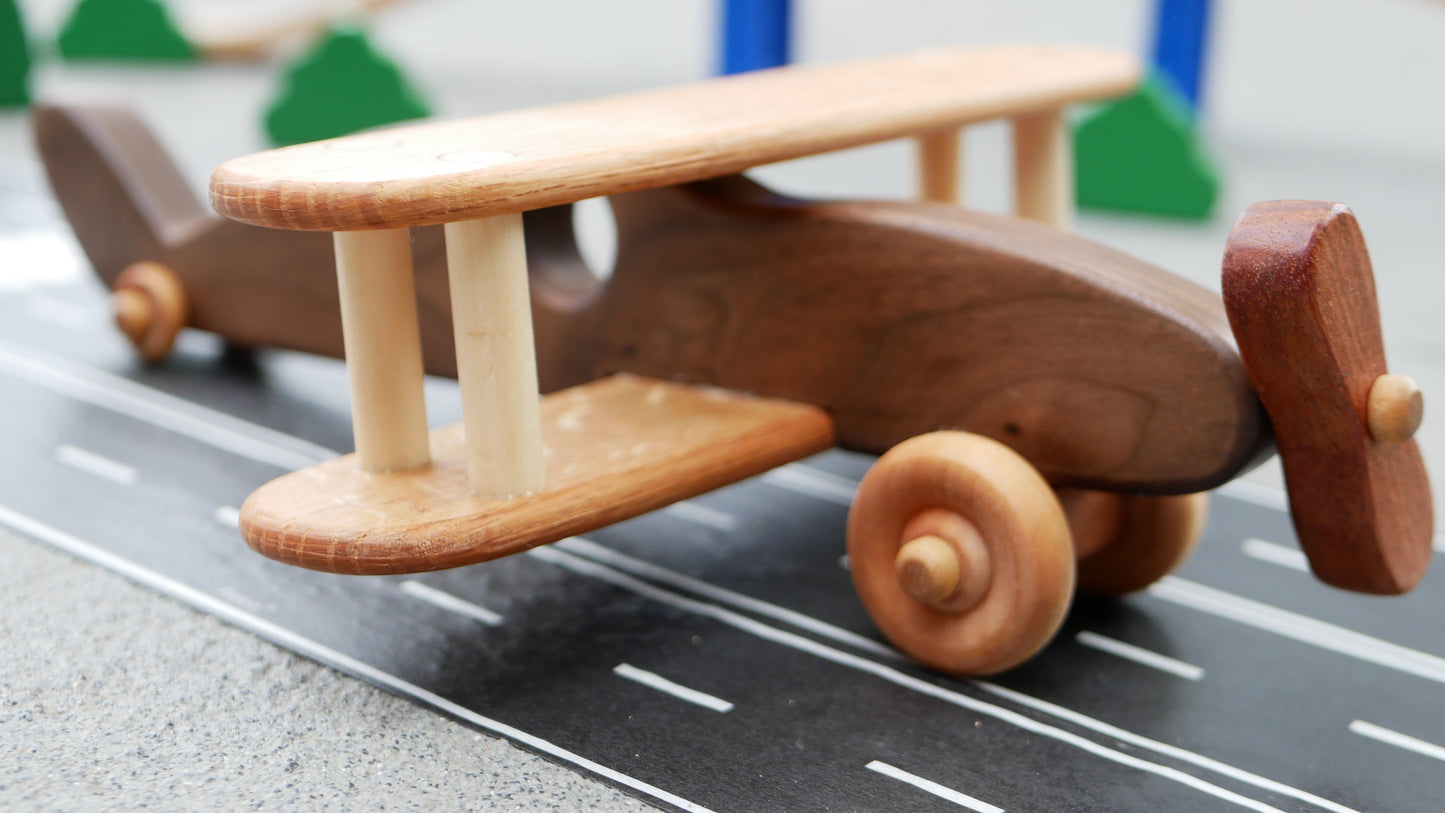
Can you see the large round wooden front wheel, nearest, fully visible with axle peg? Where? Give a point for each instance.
(962, 552)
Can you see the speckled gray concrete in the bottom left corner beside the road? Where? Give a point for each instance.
(115, 698)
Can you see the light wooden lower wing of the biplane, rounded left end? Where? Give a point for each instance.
(615, 448)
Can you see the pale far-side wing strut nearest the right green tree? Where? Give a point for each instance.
(1044, 168)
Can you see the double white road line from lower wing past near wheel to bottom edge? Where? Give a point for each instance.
(892, 675)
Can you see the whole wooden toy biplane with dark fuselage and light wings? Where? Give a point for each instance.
(1047, 411)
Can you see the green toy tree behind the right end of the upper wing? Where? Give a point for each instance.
(1141, 155)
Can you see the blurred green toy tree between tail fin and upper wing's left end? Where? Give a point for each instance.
(343, 86)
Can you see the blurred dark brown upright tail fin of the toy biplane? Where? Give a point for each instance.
(122, 194)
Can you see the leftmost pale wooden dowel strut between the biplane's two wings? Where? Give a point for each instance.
(384, 349)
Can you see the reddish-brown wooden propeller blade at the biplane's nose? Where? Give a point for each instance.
(1301, 297)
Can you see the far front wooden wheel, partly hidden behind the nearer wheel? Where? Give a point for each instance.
(1129, 542)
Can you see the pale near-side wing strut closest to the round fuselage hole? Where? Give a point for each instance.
(496, 360)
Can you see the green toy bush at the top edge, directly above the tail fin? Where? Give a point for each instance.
(124, 30)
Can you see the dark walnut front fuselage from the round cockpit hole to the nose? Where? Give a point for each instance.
(904, 318)
